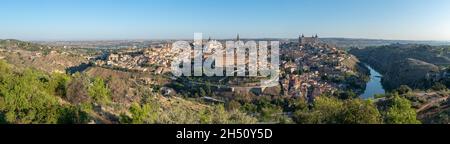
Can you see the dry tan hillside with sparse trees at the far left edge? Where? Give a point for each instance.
(45, 58)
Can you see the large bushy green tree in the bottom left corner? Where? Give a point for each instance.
(24, 99)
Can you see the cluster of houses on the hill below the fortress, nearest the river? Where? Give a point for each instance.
(308, 64)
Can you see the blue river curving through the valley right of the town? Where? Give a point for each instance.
(374, 86)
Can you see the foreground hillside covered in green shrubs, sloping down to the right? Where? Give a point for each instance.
(29, 96)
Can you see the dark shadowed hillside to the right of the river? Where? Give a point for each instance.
(406, 64)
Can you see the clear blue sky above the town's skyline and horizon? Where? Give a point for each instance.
(180, 19)
